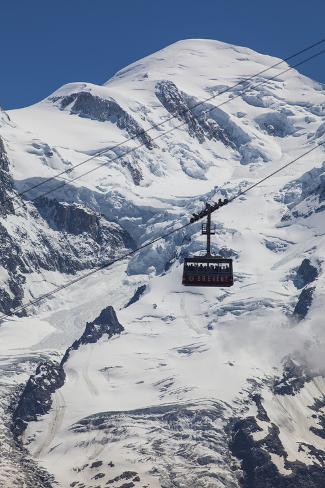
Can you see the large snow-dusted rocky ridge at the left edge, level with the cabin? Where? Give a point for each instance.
(57, 237)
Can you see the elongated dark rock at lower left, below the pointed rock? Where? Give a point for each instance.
(36, 398)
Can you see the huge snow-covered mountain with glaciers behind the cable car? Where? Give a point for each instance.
(127, 379)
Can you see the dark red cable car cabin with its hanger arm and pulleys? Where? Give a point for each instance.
(207, 270)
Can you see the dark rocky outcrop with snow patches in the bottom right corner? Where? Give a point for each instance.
(256, 440)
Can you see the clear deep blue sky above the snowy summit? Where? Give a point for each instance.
(46, 43)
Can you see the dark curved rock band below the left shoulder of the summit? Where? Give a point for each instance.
(91, 106)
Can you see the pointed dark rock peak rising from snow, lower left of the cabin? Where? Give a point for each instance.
(106, 324)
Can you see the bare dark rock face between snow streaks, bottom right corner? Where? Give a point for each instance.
(256, 440)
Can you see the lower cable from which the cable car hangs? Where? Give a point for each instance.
(149, 243)
